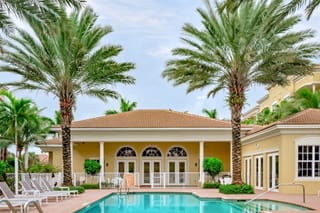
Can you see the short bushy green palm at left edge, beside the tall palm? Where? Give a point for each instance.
(21, 124)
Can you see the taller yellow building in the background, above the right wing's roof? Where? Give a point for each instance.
(276, 94)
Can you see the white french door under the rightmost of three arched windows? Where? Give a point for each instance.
(177, 170)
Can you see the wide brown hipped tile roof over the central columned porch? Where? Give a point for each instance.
(151, 119)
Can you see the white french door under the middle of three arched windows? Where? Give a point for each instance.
(151, 172)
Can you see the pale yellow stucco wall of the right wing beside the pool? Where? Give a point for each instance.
(286, 146)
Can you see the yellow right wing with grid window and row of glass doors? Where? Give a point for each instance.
(284, 153)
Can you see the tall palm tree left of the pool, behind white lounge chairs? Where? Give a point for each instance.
(66, 60)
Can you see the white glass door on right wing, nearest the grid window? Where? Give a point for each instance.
(273, 171)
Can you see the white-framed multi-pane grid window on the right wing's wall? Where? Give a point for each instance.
(308, 161)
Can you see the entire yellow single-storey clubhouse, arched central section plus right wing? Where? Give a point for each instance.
(166, 148)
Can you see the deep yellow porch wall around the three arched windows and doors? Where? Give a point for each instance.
(89, 150)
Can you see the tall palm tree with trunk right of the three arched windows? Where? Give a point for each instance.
(234, 50)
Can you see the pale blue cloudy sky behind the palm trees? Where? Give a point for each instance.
(148, 30)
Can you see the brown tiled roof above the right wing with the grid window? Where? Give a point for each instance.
(306, 117)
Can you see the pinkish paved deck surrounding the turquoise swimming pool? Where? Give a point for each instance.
(78, 202)
